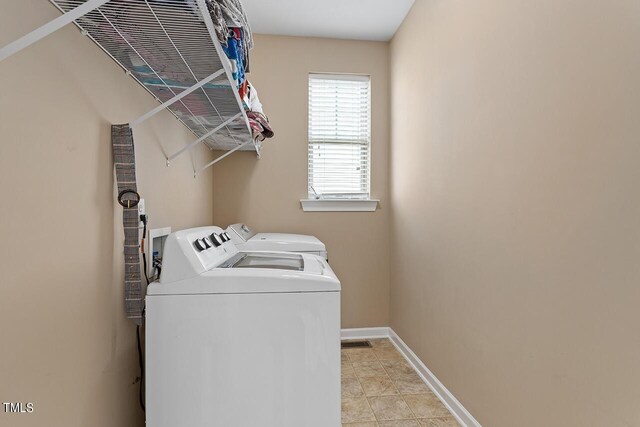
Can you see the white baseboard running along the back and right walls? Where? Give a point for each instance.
(454, 406)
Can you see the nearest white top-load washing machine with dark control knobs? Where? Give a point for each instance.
(241, 339)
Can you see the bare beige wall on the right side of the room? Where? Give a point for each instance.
(514, 181)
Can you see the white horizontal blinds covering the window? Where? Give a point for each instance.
(339, 136)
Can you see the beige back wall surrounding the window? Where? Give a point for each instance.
(266, 193)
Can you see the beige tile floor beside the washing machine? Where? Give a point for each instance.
(380, 389)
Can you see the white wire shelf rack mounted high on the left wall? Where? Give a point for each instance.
(170, 48)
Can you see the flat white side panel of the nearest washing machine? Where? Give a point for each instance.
(243, 360)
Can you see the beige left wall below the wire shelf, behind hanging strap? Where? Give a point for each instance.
(66, 343)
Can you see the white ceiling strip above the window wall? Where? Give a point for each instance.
(342, 19)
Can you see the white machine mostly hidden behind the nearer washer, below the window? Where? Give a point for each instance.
(247, 240)
